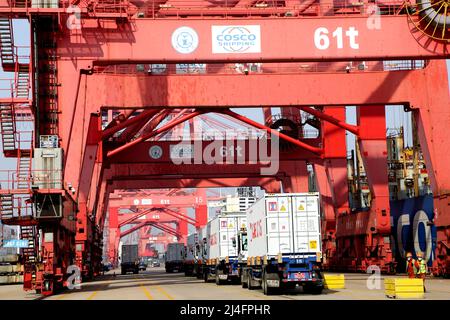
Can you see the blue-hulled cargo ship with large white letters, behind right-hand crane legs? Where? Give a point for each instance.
(411, 198)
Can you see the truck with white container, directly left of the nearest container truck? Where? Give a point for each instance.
(226, 247)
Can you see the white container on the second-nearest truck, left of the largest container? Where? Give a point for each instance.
(222, 233)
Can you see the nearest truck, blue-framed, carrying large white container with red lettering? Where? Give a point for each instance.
(284, 243)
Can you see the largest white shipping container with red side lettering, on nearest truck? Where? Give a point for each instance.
(286, 223)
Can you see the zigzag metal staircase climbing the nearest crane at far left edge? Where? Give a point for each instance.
(16, 206)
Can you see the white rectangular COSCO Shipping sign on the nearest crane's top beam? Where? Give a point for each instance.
(236, 39)
